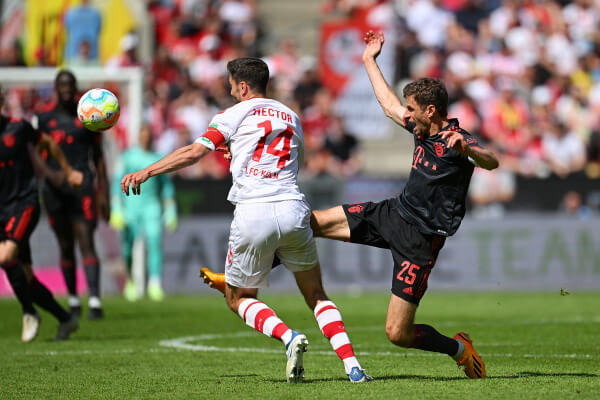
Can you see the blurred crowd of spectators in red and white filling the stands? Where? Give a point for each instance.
(524, 75)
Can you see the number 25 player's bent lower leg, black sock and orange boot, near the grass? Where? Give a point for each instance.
(402, 331)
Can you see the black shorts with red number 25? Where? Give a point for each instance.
(414, 252)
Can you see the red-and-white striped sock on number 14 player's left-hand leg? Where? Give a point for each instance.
(259, 316)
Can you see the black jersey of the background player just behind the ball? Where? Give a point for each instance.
(74, 140)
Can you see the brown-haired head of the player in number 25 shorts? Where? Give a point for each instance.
(426, 101)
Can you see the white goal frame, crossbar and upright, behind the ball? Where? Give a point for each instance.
(131, 77)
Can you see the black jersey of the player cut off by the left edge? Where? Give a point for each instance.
(17, 179)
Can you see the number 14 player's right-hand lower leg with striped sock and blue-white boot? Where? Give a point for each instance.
(330, 321)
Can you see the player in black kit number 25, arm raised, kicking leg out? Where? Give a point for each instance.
(415, 224)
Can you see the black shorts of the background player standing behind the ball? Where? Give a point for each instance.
(71, 204)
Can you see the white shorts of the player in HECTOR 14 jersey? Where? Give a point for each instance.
(259, 231)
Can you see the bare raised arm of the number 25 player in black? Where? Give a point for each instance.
(386, 96)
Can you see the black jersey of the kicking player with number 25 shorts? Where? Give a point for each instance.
(434, 197)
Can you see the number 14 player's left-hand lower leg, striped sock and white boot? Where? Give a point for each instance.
(262, 318)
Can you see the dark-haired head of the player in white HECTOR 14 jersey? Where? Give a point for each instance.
(248, 77)
